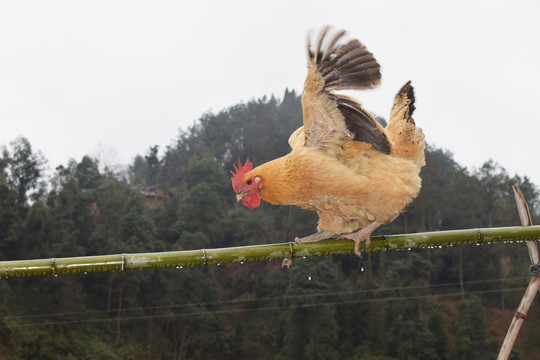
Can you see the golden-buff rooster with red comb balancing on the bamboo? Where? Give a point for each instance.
(343, 164)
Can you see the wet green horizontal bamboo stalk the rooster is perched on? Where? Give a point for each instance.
(121, 262)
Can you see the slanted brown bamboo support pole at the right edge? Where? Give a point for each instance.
(534, 284)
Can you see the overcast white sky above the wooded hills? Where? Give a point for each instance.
(112, 78)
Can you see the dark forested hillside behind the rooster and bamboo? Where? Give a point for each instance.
(448, 303)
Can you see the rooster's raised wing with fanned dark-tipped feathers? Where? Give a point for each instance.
(330, 118)
